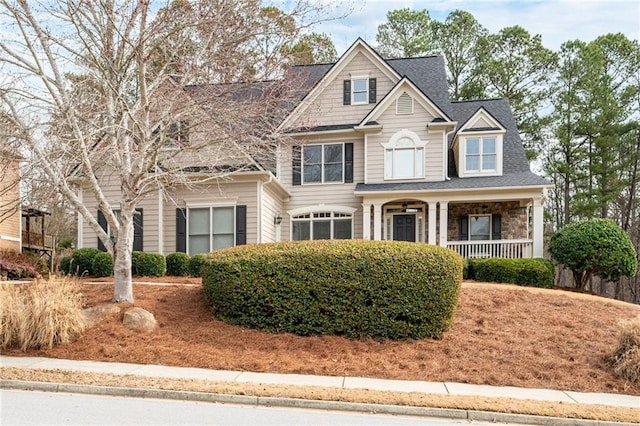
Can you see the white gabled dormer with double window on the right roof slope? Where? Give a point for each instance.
(478, 146)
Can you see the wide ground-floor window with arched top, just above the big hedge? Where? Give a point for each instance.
(322, 226)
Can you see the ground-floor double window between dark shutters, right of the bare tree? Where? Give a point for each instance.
(210, 228)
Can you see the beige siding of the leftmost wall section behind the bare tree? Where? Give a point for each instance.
(111, 191)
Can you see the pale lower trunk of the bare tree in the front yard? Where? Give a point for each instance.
(123, 246)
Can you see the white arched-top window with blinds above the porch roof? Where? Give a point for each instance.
(404, 156)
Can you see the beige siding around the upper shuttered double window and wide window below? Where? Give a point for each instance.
(334, 194)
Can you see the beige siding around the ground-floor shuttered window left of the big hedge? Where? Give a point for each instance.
(224, 193)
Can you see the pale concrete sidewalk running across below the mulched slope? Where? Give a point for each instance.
(443, 388)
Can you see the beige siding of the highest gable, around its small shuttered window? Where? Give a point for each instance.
(328, 107)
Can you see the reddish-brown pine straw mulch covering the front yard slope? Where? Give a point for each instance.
(503, 335)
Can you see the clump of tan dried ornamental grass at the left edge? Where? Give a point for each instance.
(41, 314)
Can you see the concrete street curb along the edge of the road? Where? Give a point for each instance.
(473, 415)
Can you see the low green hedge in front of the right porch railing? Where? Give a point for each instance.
(526, 272)
